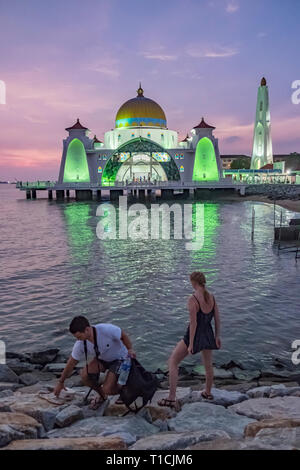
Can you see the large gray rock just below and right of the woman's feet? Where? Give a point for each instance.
(209, 417)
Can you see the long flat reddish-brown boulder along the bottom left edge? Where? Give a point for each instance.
(82, 443)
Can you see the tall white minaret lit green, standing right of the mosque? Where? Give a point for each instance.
(262, 143)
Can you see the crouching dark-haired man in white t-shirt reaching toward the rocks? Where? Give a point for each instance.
(113, 345)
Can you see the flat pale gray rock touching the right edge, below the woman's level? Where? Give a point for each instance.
(267, 408)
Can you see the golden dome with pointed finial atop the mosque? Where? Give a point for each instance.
(141, 112)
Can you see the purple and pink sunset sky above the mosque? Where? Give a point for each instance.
(66, 59)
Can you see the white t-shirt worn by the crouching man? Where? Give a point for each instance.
(109, 344)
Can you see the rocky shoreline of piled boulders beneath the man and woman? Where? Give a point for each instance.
(251, 409)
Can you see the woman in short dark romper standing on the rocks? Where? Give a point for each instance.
(198, 337)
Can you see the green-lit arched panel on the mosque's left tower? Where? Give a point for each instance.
(76, 166)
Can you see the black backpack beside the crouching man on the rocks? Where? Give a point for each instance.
(140, 383)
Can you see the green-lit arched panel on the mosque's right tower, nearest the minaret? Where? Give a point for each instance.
(205, 164)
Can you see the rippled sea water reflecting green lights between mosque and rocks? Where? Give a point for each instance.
(54, 267)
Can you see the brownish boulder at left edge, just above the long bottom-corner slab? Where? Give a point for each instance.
(18, 426)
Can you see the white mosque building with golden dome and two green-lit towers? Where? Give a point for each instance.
(140, 148)
